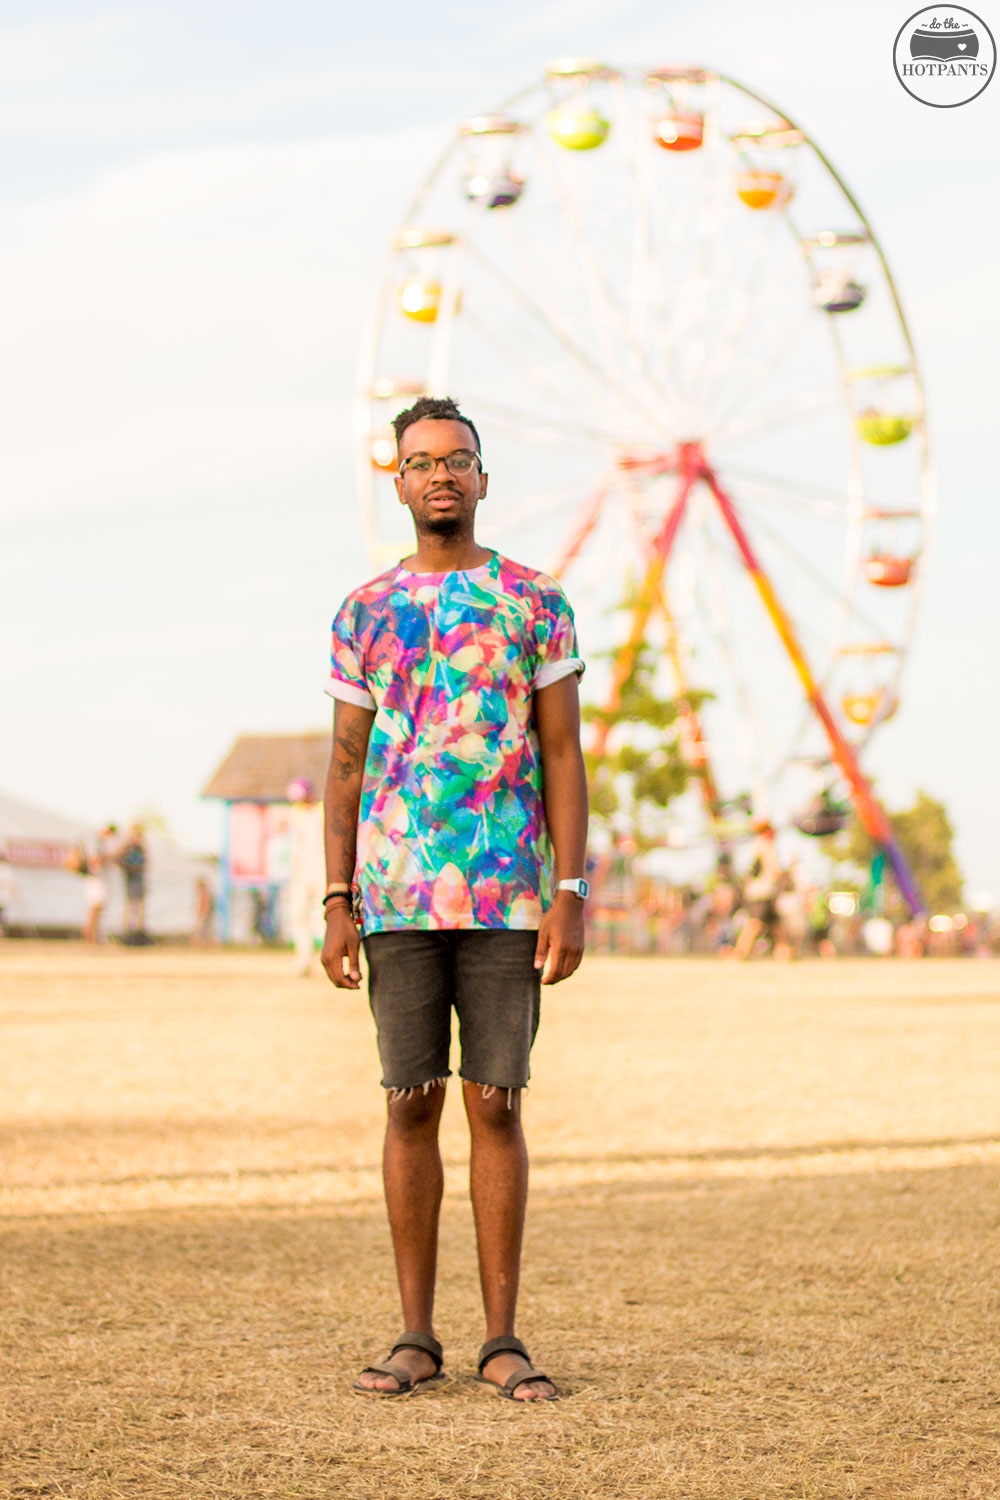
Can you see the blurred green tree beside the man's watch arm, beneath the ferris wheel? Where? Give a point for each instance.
(633, 784)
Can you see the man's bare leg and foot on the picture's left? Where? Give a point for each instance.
(415, 1186)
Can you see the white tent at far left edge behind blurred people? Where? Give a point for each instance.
(49, 899)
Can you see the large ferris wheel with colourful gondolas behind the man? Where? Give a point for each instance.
(699, 397)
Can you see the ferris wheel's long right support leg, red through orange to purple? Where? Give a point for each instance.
(870, 811)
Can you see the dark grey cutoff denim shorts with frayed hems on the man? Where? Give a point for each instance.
(487, 974)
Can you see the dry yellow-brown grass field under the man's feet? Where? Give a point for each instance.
(762, 1261)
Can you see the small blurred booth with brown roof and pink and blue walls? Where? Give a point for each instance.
(257, 784)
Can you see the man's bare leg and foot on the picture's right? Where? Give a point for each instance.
(499, 1183)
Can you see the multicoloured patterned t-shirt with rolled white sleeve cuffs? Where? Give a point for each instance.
(452, 827)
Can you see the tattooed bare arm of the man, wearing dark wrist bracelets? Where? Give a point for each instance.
(343, 802)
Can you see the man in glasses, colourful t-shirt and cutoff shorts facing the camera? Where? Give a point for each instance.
(457, 758)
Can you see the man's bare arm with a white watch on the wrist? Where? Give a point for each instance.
(564, 794)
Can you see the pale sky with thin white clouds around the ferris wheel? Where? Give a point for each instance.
(194, 206)
